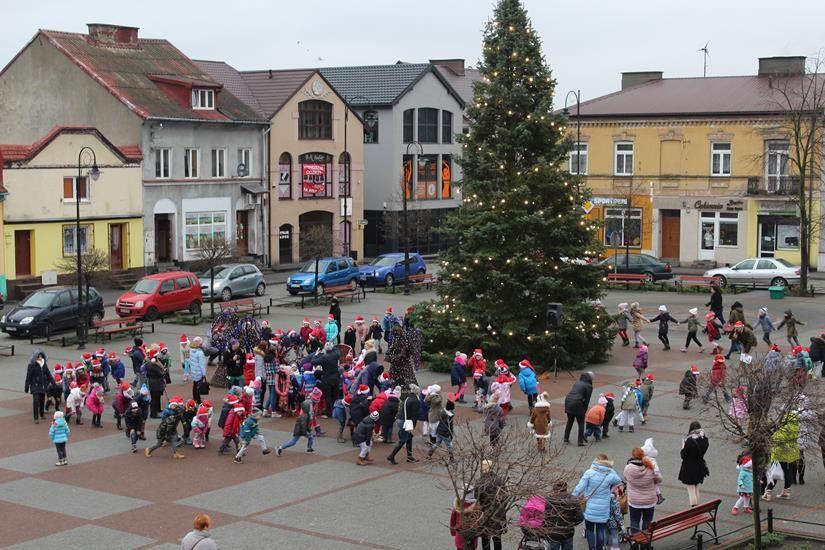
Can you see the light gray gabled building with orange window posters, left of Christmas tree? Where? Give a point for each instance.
(411, 116)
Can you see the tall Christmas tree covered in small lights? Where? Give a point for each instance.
(521, 232)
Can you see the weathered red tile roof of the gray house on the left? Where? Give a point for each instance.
(131, 74)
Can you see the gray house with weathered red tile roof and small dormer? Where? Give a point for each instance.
(203, 154)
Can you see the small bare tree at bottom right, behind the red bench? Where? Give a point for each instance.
(773, 392)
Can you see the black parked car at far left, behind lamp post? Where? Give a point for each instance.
(50, 310)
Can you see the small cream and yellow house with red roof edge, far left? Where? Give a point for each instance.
(40, 208)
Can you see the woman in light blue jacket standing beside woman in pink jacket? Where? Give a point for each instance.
(595, 486)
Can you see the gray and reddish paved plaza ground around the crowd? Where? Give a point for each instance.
(110, 498)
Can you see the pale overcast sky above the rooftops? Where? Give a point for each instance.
(587, 43)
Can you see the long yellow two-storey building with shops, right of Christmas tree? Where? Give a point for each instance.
(703, 162)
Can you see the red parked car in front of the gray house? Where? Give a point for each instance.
(161, 293)
